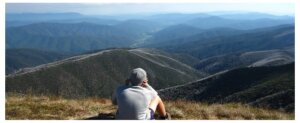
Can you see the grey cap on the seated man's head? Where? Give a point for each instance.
(137, 76)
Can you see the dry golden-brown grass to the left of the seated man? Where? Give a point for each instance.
(42, 107)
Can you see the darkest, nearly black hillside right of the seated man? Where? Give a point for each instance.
(268, 87)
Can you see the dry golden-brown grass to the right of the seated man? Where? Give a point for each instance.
(181, 109)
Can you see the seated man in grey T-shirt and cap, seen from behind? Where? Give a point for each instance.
(137, 99)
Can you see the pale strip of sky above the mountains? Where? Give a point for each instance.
(139, 8)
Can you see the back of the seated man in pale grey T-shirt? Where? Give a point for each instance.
(133, 101)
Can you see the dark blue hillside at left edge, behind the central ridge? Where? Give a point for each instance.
(22, 58)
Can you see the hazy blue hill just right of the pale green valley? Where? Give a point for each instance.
(177, 35)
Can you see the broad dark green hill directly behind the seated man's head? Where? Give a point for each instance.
(97, 74)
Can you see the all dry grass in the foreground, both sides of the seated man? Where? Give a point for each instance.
(42, 107)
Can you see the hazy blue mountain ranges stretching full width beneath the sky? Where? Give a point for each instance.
(66, 31)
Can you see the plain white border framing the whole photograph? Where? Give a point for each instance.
(2, 36)
